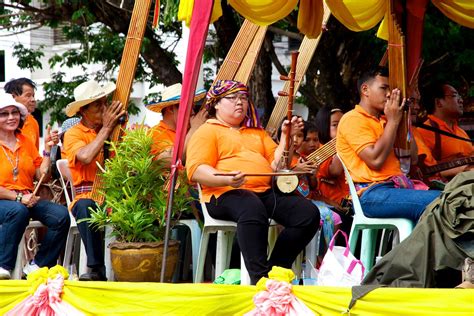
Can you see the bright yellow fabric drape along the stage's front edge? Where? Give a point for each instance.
(123, 298)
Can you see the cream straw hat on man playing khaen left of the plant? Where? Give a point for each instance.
(87, 92)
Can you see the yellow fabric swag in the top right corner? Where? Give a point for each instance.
(460, 11)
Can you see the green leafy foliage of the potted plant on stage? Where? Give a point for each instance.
(135, 191)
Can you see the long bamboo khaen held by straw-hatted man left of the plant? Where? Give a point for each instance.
(125, 78)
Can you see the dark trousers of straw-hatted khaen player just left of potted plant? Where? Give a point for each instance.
(93, 239)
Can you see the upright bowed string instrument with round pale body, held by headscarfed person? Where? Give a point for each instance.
(288, 183)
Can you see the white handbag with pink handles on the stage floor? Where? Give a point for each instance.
(339, 266)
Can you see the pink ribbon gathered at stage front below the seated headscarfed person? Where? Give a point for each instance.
(278, 299)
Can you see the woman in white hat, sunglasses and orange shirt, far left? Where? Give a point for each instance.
(21, 164)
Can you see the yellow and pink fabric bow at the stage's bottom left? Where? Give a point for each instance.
(47, 286)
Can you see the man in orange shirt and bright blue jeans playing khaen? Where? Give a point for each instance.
(365, 139)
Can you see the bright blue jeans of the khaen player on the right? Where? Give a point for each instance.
(385, 201)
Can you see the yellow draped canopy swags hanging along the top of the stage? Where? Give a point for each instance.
(356, 15)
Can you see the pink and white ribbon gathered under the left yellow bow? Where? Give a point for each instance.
(46, 301)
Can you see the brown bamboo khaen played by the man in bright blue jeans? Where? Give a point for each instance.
(398, 79)
